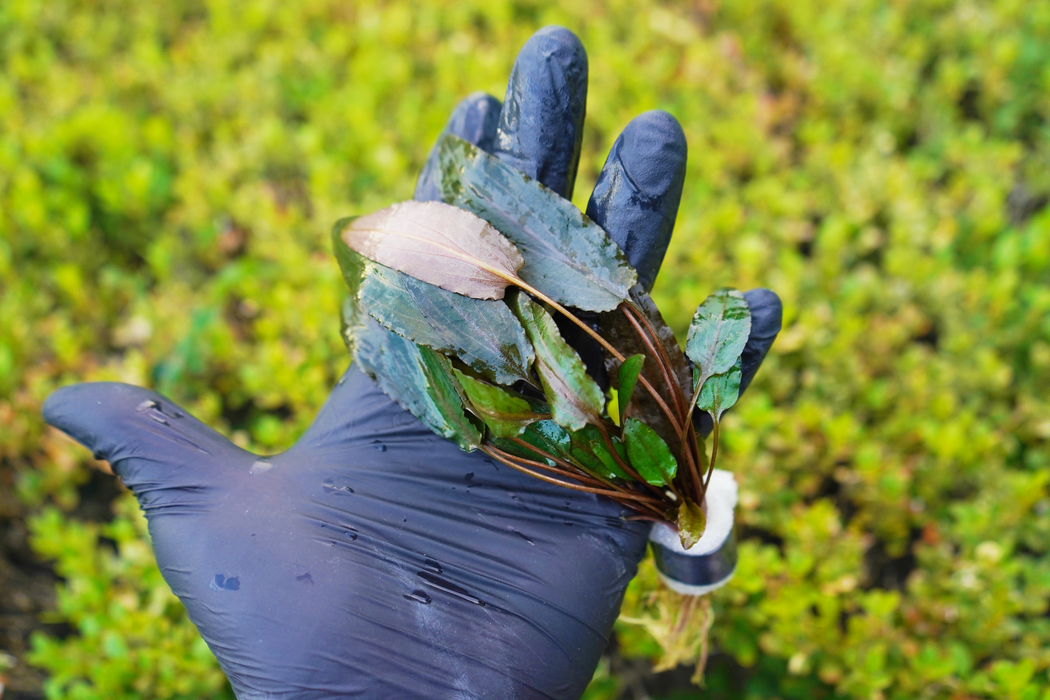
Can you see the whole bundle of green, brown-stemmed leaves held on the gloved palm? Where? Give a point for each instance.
(460, 311)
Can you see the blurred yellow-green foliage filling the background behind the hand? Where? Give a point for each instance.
(170, 173)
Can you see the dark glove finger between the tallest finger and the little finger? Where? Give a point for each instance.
(638, 194)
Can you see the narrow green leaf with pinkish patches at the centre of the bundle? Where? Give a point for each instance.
(574, 397)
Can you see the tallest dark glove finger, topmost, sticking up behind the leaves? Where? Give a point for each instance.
(542, 121)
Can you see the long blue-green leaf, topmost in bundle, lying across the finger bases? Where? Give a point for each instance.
(568, 257)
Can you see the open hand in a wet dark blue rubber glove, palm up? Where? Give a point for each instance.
(374, 559)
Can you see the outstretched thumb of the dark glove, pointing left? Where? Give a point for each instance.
(163, 454)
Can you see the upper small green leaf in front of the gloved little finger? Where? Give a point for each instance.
(719, 333)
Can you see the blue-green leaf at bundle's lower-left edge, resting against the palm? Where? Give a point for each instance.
(415, 376)
